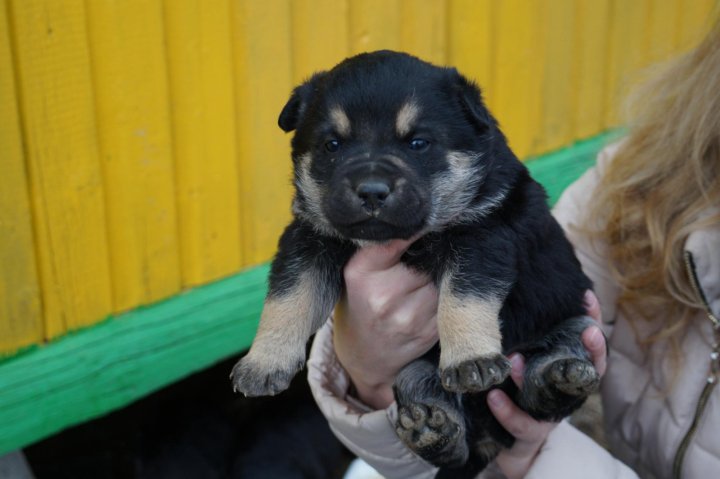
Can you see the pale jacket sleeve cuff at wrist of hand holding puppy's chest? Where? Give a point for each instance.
(367, 433)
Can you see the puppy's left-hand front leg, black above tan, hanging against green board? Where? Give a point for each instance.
(305, 284)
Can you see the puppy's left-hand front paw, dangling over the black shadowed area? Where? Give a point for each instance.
(255, 379)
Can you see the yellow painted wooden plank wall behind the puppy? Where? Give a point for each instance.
(139, 153)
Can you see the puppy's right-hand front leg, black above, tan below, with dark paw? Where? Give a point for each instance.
(472, 292)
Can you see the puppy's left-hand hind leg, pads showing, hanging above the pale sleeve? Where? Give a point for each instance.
(430, 420)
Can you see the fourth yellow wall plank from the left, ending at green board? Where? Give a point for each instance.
(203, 121)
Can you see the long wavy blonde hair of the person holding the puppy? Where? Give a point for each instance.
(660, 186)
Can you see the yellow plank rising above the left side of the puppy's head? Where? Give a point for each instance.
(318, 41)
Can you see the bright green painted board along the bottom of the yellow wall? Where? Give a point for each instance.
(98, 369)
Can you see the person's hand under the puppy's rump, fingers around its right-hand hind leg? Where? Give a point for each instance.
(529, 433)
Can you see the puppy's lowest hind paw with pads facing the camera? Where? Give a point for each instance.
(434, 431)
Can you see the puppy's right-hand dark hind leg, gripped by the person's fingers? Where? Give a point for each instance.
(559, 373)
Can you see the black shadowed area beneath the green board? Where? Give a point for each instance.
(197, 428)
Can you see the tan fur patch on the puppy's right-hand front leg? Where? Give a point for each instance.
(468, 327)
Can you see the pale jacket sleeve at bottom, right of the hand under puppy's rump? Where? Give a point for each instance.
(568, 453)
